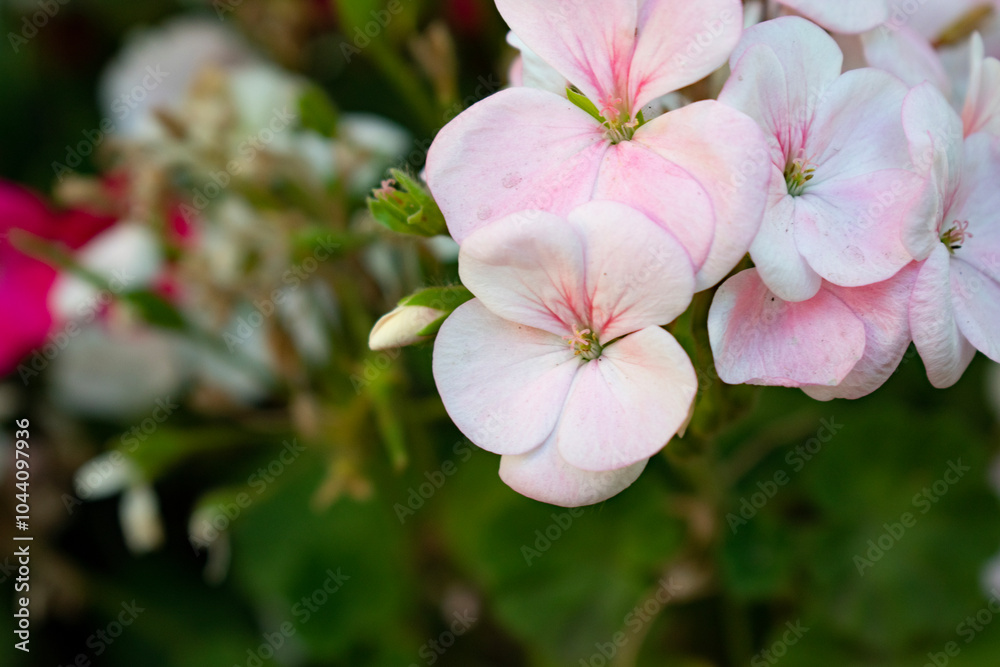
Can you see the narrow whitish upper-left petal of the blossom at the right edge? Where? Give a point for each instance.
(934, 131)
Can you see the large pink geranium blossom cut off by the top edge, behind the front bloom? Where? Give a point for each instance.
(698, 171)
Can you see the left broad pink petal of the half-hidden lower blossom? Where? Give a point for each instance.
(759, 339)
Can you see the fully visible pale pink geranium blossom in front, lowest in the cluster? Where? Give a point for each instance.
(560, 364)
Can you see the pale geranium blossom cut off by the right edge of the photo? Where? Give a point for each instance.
(955, 307)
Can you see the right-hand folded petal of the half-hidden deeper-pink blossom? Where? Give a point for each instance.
(884, 310)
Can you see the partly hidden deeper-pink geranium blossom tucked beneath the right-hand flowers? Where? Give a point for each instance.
(844, 342)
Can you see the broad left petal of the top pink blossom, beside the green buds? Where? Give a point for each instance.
(520, 149)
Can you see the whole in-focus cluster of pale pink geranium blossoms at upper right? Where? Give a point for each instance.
(629, 169)
